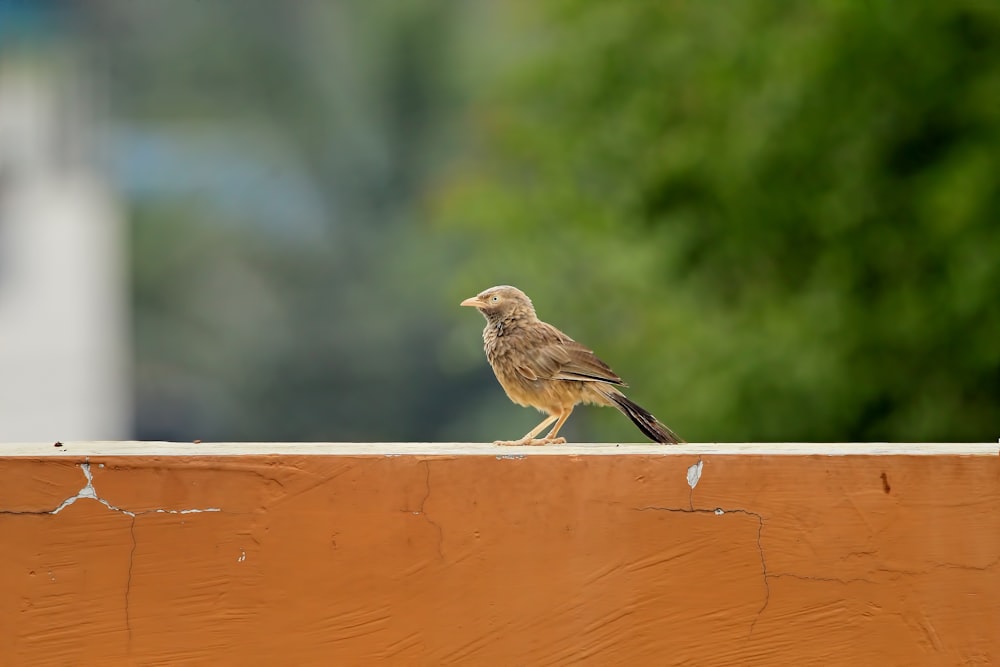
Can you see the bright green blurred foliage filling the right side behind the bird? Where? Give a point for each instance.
(777, 221)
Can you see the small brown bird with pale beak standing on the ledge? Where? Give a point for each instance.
(541, 367)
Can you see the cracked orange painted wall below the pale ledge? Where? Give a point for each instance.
(475, 559)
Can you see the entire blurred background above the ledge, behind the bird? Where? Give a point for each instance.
(254, 220)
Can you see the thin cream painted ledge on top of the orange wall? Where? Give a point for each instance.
(156, 448)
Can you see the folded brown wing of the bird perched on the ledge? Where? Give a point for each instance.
(556, 356)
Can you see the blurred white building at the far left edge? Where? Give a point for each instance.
(64, 324)
